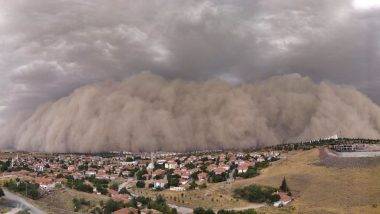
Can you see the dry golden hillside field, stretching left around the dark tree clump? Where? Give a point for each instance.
(317, 188)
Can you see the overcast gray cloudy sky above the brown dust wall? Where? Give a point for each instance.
(49, 48)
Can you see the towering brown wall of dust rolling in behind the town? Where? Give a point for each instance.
(147, 112)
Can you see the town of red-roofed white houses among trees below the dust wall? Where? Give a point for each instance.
(155, 170)
